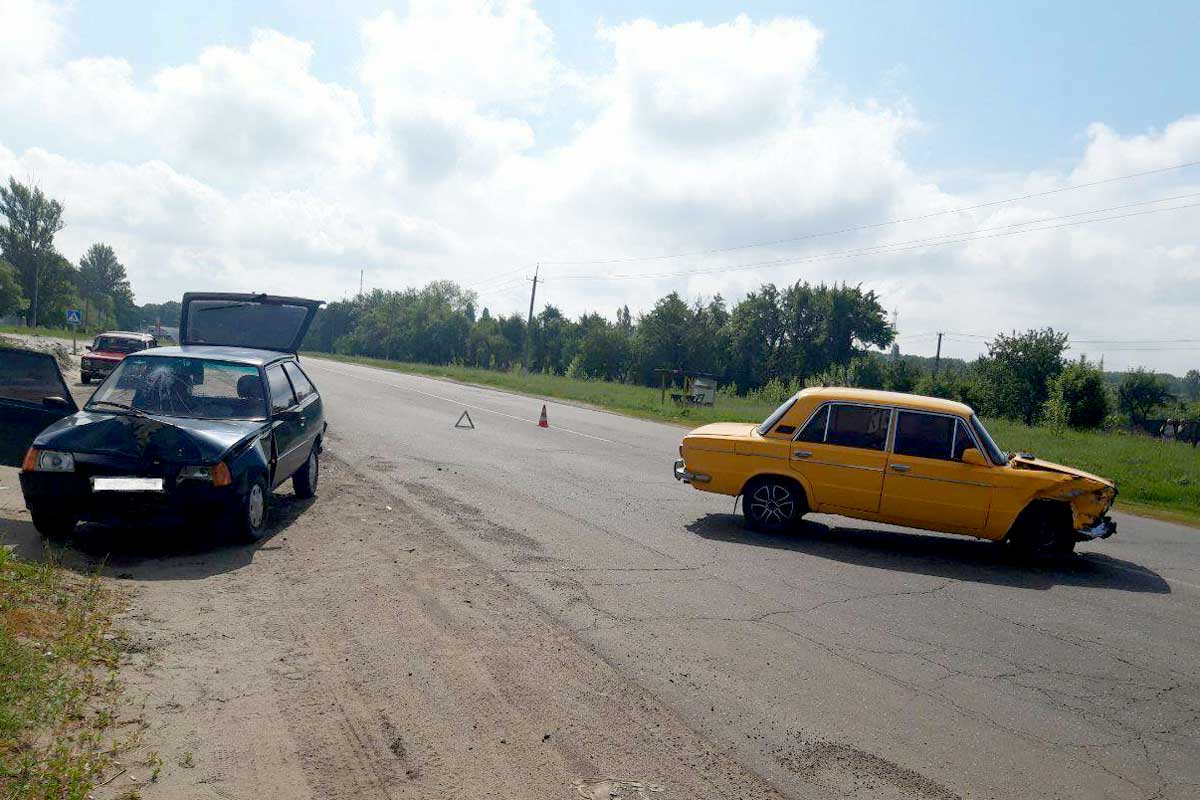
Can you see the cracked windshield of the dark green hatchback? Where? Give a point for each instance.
(188, 388)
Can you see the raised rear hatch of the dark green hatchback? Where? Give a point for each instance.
(253, 321)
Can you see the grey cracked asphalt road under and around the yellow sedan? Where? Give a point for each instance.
(843, 660)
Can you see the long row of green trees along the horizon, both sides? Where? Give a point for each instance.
(771, 344)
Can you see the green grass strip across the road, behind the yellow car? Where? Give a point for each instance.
(1156, 478)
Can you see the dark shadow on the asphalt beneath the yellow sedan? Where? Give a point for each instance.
(959, 560)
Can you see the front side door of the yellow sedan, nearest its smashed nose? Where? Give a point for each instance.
(928, 485)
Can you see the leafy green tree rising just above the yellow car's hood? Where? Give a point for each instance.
(1018, 371)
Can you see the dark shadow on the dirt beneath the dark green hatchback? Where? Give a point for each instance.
(146, 554)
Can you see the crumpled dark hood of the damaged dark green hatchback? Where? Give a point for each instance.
(158, 438)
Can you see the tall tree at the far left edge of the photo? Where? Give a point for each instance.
(27, 239)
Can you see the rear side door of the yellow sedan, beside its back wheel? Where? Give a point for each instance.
(842, 454)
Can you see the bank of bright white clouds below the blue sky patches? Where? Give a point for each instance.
(243, 169)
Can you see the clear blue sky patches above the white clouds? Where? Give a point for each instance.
(1000, 86)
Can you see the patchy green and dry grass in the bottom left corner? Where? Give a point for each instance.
(58, 682)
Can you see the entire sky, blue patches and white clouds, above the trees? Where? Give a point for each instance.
(251, 146)
